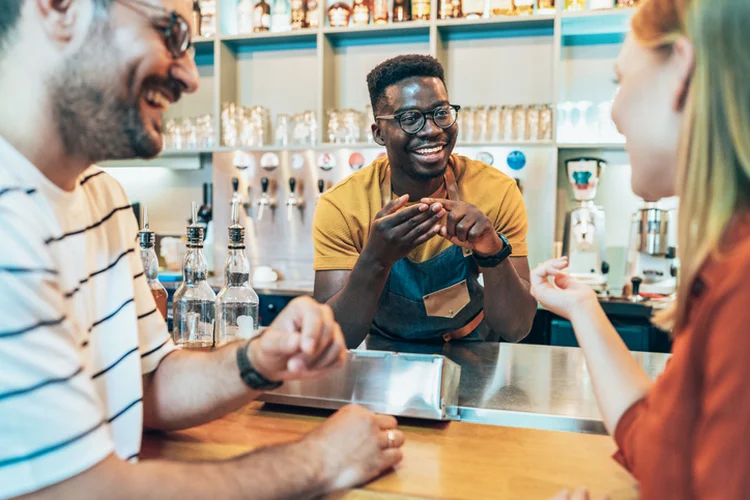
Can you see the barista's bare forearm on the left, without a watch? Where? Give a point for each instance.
(354, 306)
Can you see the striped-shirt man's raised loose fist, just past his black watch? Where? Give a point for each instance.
(303, 342)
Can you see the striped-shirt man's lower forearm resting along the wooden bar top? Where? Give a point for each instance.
(286, 471)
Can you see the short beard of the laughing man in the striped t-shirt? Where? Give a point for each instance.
(93, 121)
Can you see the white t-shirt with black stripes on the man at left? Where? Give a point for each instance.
(78, 326)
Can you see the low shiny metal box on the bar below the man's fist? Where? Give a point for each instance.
(400, 384)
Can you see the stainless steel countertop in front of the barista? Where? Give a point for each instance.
(517, 385)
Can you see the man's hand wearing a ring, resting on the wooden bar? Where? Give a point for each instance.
(355, 446)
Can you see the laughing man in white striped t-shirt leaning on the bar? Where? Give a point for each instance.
(85, 358)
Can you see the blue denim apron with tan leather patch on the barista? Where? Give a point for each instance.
(436, 300)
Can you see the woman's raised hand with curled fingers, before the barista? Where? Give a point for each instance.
(558, 292)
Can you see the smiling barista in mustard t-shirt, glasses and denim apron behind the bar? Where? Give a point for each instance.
(400, 245)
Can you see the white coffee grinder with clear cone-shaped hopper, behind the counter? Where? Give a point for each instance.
(583, 241)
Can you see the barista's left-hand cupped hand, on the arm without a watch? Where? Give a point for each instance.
(397, 231)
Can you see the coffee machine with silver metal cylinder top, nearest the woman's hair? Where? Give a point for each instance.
(652, 255)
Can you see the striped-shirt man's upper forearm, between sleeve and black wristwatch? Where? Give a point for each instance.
(191, 388)
